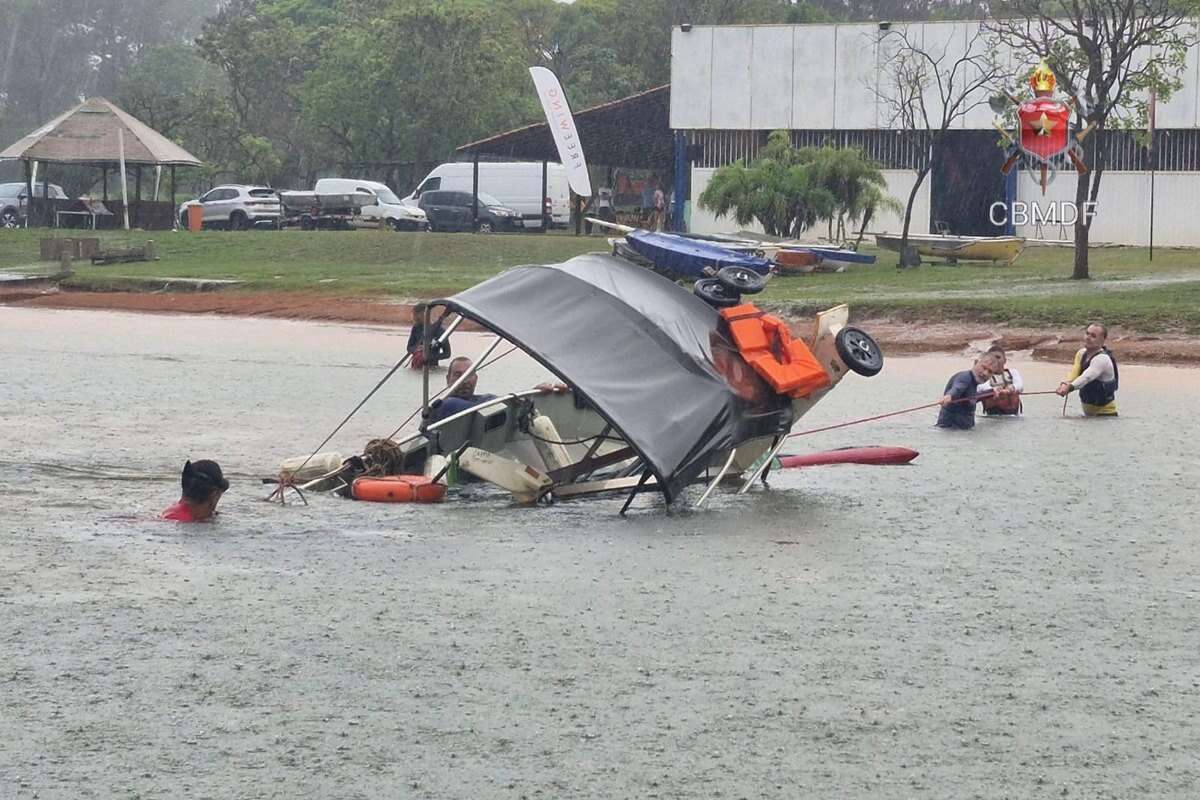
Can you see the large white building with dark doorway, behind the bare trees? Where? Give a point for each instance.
(731, 86)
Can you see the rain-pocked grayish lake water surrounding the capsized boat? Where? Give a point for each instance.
(1015, 615)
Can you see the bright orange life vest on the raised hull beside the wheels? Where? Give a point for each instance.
(767, 346)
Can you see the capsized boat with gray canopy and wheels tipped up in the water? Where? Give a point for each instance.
(668, 387)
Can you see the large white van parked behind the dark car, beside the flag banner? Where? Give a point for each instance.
(515, 184)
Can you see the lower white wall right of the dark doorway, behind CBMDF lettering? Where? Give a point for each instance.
(1124, 209)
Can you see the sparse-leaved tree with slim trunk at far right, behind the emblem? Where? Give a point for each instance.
(1107, 55)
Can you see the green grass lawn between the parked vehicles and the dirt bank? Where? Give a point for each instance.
(1127, 288)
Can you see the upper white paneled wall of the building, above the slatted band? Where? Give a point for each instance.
(823, 77)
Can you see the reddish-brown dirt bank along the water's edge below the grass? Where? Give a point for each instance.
(896, 336)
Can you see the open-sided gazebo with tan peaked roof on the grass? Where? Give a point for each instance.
(98, 134)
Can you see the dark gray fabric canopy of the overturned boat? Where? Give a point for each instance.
(635, 346)
